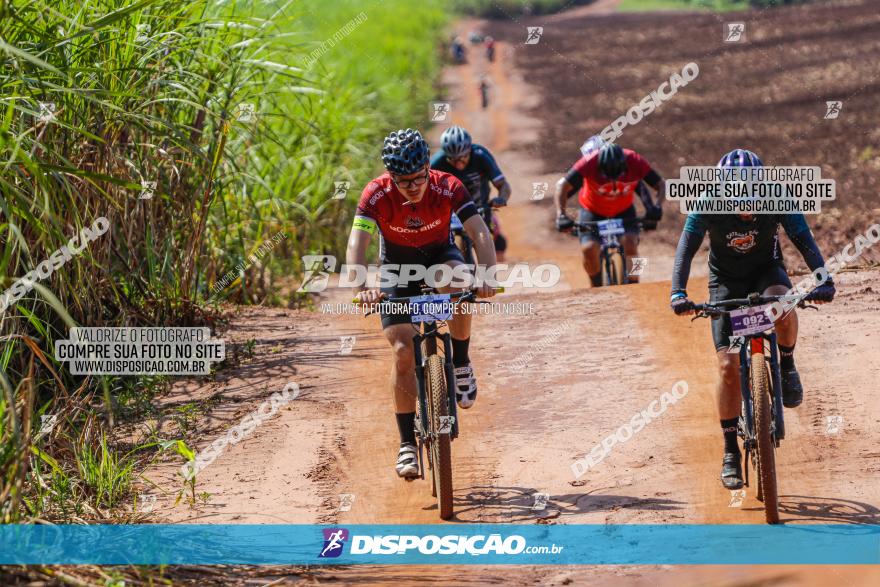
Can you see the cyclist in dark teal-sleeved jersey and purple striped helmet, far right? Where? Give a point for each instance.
(745, 257)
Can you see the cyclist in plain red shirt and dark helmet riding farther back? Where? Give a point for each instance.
(608, 178)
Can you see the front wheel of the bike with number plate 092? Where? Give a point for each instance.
(766, 447)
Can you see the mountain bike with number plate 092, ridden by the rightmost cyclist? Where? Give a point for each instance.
(761, 422)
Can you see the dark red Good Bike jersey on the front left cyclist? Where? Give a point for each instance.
(411, 233)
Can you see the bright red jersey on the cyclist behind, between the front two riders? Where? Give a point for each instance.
(609, 197)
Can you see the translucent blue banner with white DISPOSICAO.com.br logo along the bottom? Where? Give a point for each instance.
(631, 544)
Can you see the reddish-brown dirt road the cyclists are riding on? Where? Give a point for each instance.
(593, 358)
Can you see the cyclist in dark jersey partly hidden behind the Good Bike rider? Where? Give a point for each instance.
(476, 168)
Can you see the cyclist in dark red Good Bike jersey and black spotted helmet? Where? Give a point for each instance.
(410, 207)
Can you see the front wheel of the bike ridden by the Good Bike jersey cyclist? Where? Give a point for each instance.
(441, 445)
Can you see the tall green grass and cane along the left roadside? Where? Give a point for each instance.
(200, 130)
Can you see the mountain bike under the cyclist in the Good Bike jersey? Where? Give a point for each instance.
(436, 407)
